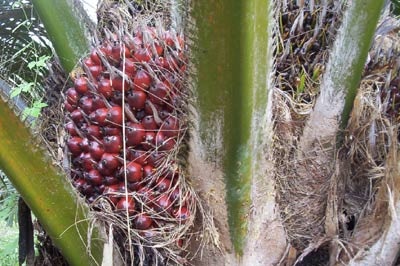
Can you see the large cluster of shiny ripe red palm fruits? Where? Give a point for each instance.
(130, 93)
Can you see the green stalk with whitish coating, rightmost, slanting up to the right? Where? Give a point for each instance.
(345, 66)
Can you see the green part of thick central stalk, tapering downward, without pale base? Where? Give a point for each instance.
(231, 56)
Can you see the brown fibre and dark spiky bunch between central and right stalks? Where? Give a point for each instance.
(306, 33)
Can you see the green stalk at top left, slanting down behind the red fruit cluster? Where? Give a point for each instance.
(65, 31)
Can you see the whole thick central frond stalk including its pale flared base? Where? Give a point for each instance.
(233, 58)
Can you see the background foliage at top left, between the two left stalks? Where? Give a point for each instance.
(25, 54)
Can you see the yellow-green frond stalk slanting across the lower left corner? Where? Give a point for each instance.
(46, 191)
